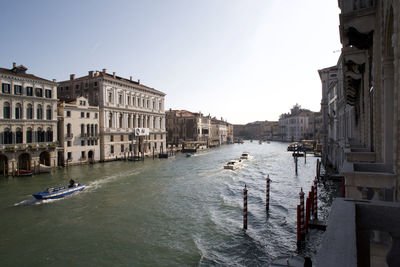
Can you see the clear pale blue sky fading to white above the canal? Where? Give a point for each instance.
(243, 60)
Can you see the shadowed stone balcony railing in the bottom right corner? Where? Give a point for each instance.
(361, 233)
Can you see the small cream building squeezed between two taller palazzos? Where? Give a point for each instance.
(78, 132)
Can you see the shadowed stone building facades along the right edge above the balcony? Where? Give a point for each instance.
(364, 126)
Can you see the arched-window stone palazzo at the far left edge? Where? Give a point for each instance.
(28, 120)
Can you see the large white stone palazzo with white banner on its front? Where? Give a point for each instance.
(132, 116)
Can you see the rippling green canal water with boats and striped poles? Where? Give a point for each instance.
(181, 211)
